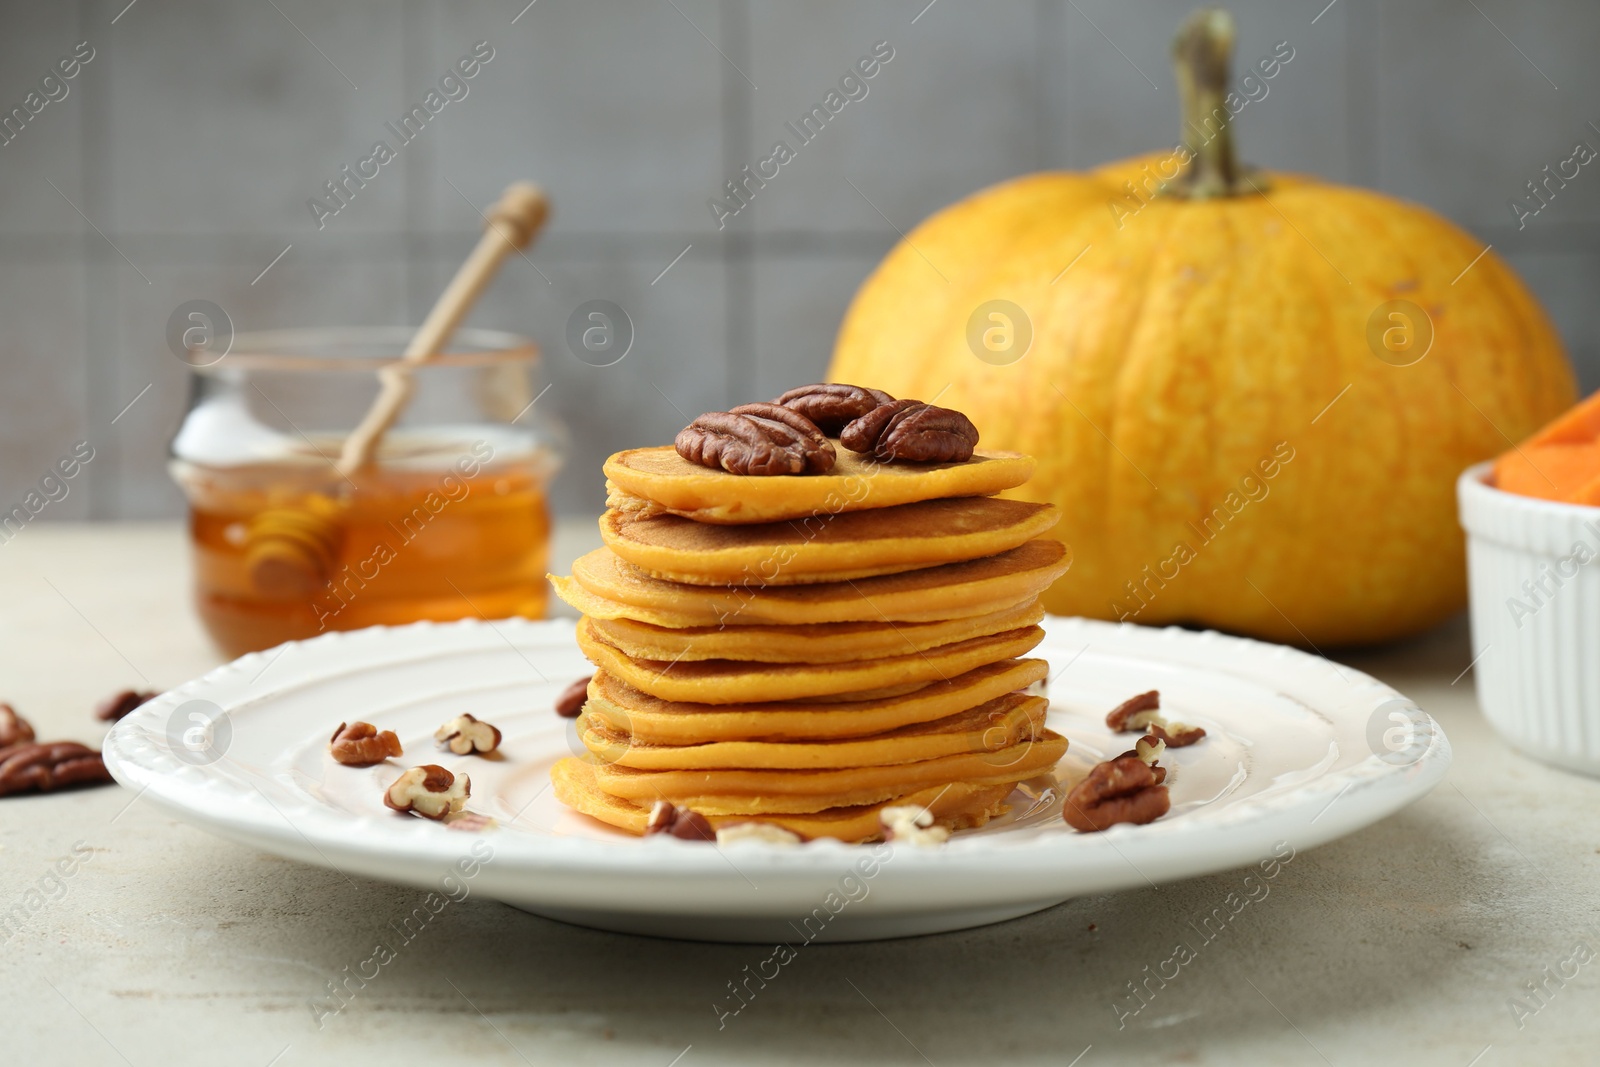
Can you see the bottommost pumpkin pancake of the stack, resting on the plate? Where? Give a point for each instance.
(956, 807)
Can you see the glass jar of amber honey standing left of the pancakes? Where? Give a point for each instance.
(449, 519)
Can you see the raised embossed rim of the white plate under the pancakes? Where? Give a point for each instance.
(214, 802)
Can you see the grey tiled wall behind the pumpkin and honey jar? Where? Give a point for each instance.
(182, 159)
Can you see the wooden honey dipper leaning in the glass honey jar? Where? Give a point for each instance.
(292, 553)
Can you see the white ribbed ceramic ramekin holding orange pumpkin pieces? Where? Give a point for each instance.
(1534, 569)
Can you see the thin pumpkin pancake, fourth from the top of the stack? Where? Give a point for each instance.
(817, 644)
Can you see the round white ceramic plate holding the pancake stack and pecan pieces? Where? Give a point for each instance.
(1300, 753)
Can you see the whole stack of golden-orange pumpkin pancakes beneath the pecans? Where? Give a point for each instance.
(809, 650)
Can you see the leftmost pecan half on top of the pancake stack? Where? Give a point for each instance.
(761, 439)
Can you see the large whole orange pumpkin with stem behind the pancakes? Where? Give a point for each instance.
(1249, 393)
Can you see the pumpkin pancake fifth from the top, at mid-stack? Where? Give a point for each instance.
(737, 682)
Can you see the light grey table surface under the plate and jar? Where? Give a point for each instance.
(1407, 943)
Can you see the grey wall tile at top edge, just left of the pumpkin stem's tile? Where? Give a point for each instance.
(948, 114)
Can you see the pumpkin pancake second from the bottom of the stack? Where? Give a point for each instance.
(798, 793)
